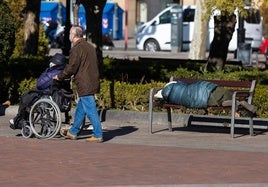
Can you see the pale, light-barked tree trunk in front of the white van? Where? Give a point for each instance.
(199, 42)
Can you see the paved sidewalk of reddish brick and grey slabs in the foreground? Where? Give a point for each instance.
(186, 157)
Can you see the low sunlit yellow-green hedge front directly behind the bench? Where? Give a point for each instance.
(127, 96)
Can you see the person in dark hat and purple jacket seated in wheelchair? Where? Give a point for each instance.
(43, 87)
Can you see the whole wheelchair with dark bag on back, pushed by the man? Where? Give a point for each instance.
(45, 116)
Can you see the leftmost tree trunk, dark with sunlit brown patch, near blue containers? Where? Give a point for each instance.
(31, 28)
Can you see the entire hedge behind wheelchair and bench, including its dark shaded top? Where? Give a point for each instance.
(121, 89)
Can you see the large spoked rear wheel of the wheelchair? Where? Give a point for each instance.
(45, 118)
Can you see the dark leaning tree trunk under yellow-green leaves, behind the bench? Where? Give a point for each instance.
(223, 31)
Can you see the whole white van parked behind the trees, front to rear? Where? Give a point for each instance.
(155, 35)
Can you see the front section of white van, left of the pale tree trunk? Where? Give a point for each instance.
(155, 35)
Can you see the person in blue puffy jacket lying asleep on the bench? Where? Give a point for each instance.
(200, 94)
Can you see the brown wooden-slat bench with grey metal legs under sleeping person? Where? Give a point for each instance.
(241, 91)
